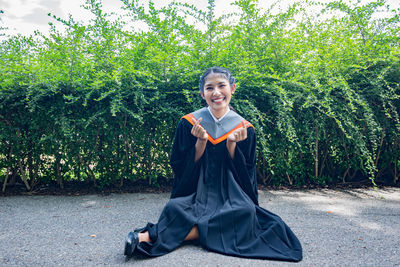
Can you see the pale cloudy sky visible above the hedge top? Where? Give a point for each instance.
(26, 16)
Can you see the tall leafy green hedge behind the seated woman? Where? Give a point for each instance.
(99, 102)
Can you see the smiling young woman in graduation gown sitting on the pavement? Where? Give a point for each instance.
(214, 196)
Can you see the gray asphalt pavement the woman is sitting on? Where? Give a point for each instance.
(358, 227)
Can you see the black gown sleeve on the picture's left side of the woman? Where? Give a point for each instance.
(186, 171)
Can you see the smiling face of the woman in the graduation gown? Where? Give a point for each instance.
(217, 93)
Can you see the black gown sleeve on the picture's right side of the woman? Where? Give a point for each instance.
(243, 165)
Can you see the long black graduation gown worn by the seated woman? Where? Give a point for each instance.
(219, 195)
